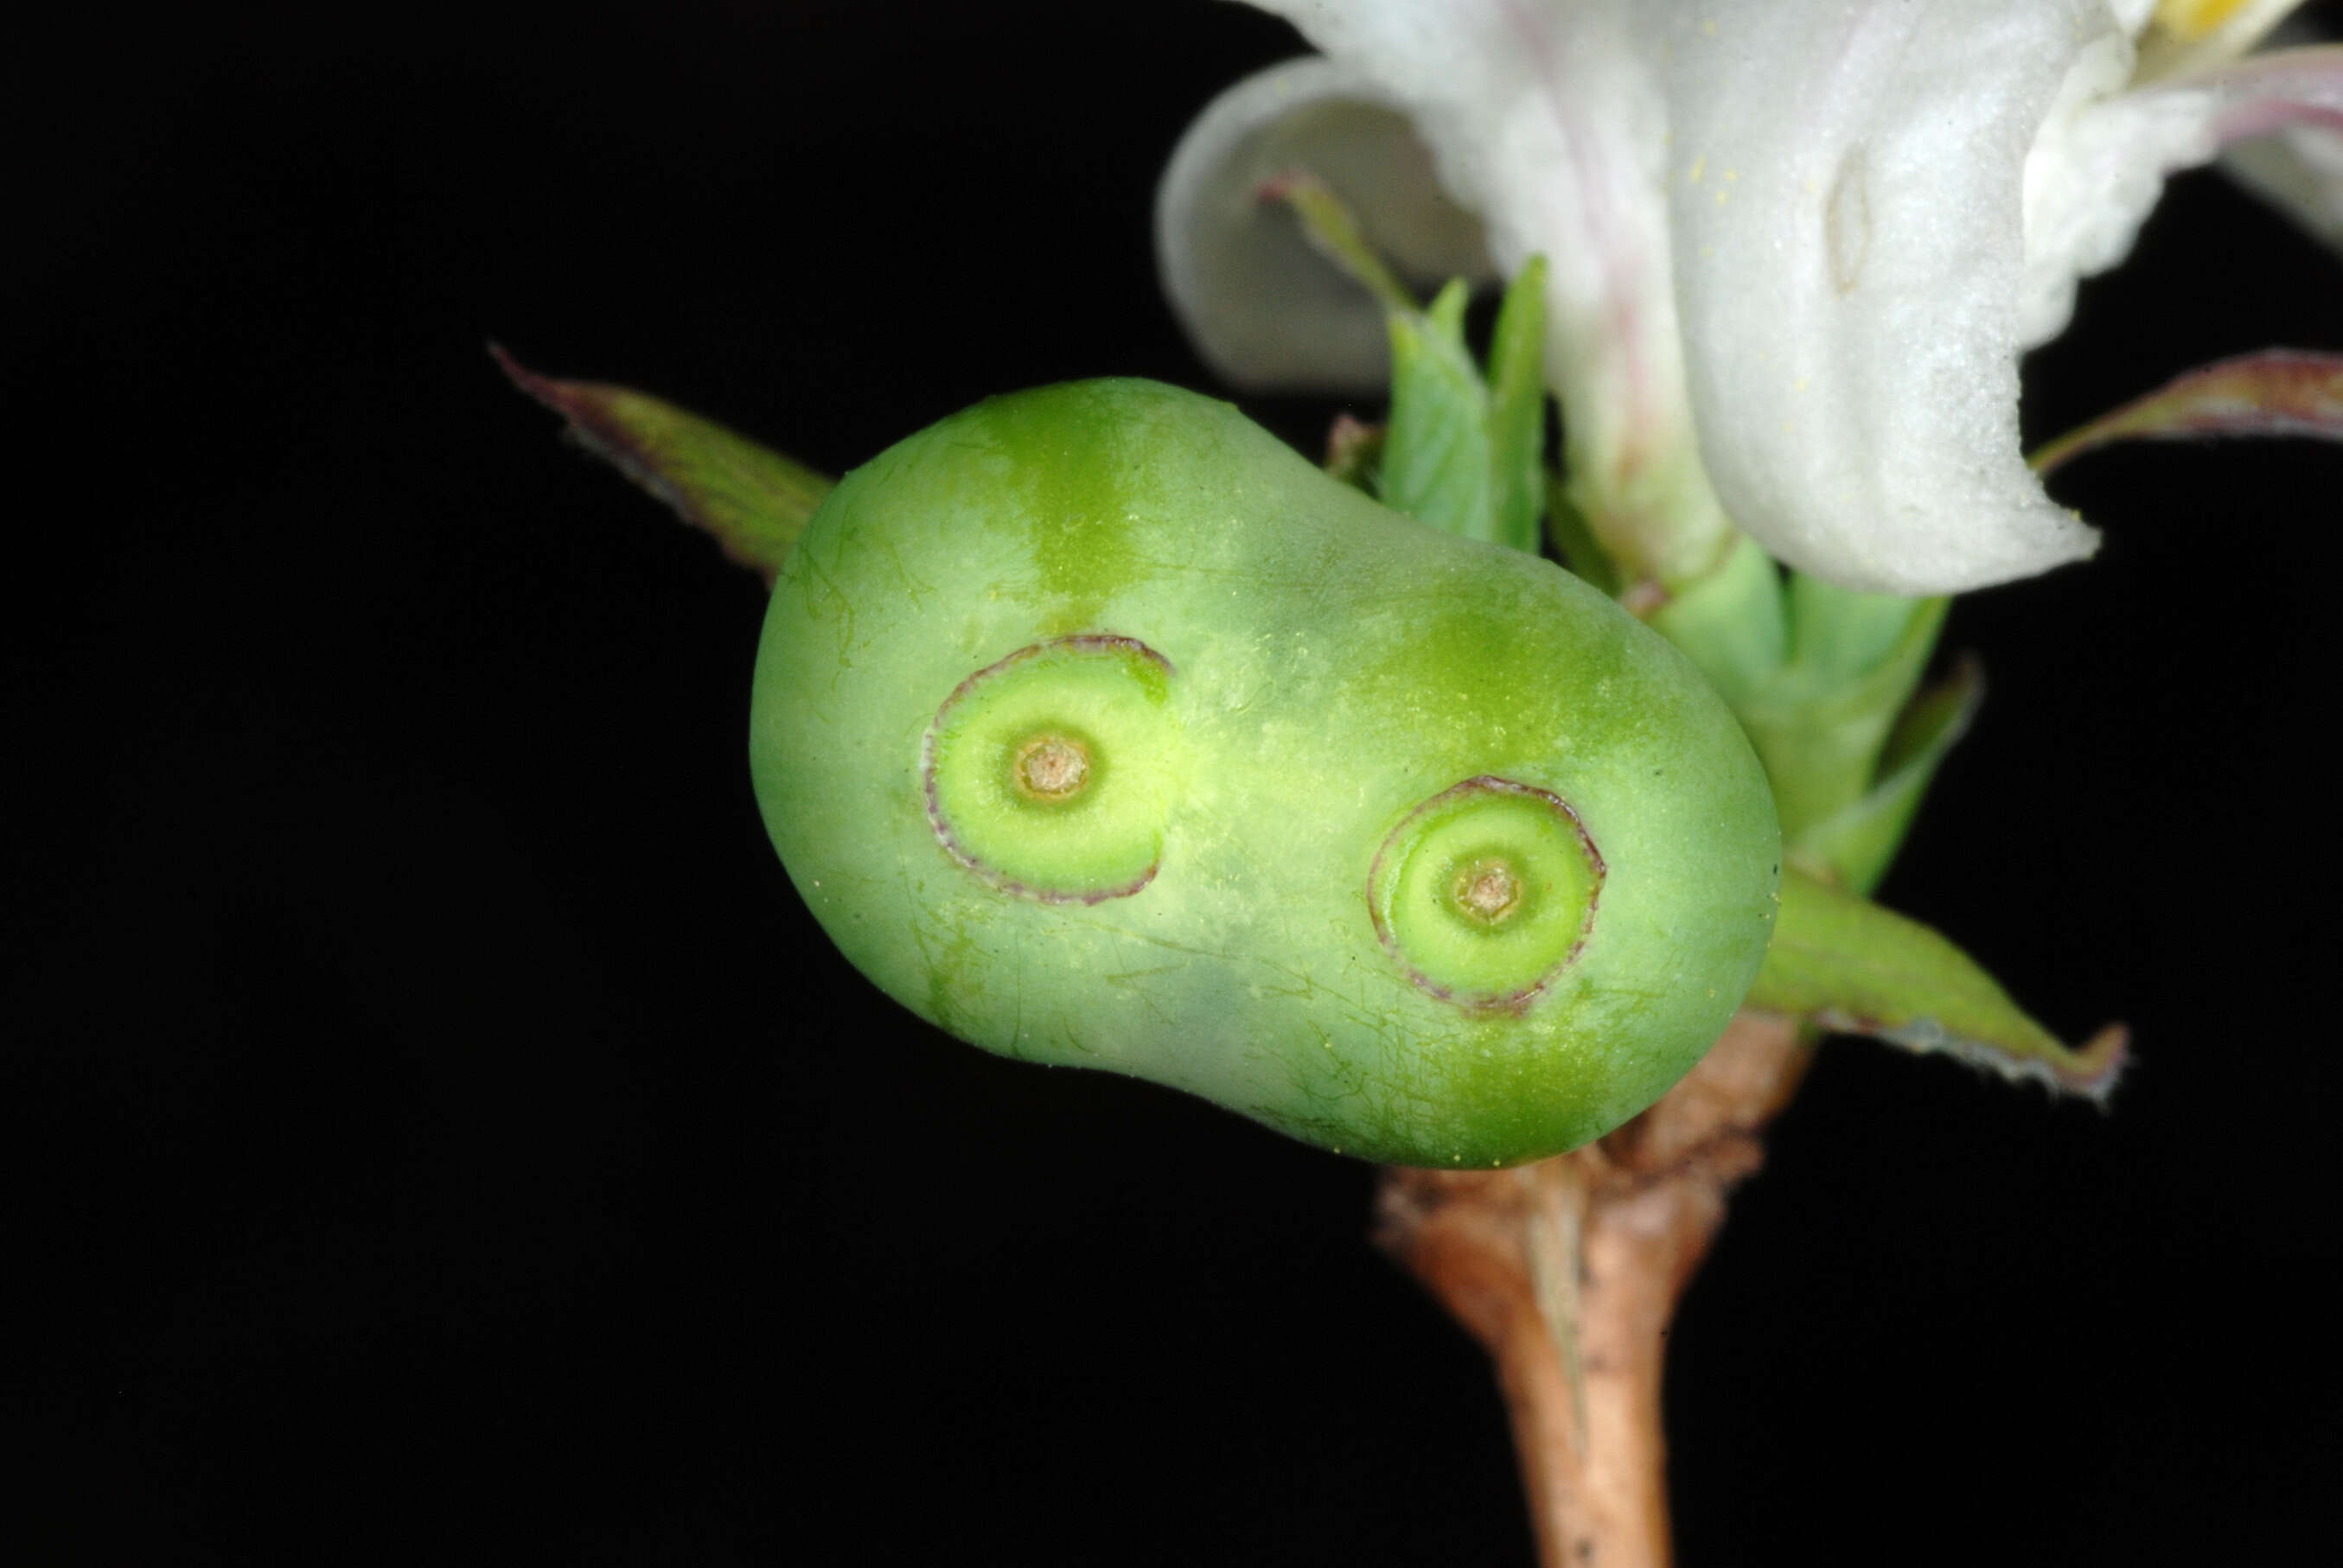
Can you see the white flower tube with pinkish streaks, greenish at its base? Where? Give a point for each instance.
(1545, 116)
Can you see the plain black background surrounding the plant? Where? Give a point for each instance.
(437, 1133)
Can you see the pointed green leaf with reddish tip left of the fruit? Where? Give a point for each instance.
(751, 500)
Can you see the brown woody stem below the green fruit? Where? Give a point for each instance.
(1569, 1274)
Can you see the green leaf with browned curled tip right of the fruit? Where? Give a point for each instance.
(1852, 967)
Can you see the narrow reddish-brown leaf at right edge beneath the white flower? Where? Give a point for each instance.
(2276, 393)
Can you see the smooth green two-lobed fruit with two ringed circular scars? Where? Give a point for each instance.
(1102, 730)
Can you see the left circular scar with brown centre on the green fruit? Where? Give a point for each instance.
(1046, 772)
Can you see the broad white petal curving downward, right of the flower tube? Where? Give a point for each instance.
(1850, 271)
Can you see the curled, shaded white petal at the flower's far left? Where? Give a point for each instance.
(1259, 304)
